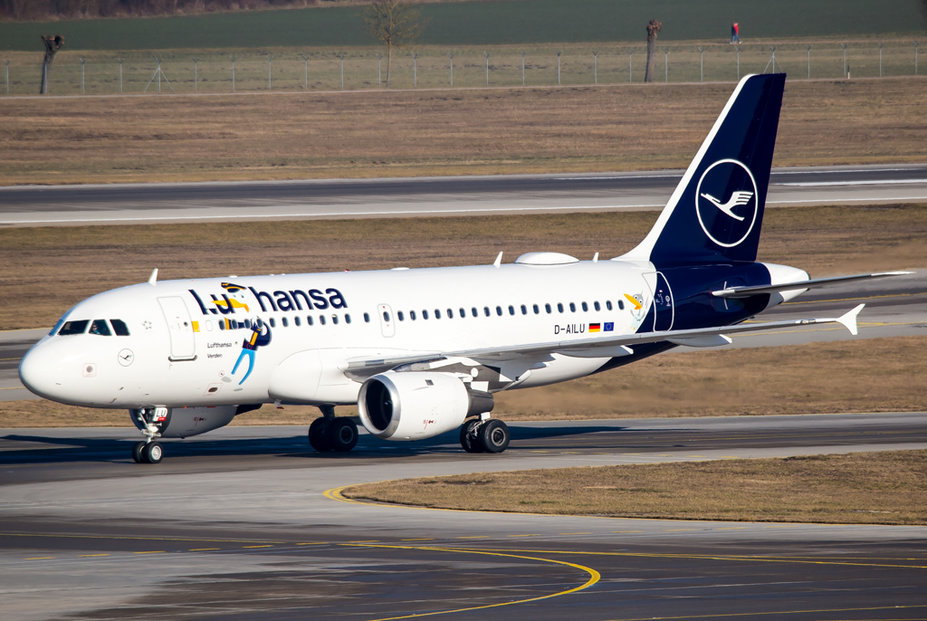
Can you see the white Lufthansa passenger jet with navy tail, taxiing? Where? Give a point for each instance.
(422, 351)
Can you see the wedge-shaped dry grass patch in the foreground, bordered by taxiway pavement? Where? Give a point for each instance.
(862, 488)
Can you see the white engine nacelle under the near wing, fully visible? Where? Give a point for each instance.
(416, 405)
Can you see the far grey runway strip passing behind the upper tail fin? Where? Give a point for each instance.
(148, 203)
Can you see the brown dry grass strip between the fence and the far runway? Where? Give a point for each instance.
(435, 132)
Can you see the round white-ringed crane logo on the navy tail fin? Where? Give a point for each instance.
(726, 222)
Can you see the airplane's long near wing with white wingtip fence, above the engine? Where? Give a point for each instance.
(599, 346)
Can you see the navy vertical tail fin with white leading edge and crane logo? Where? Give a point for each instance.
(716, 212)
